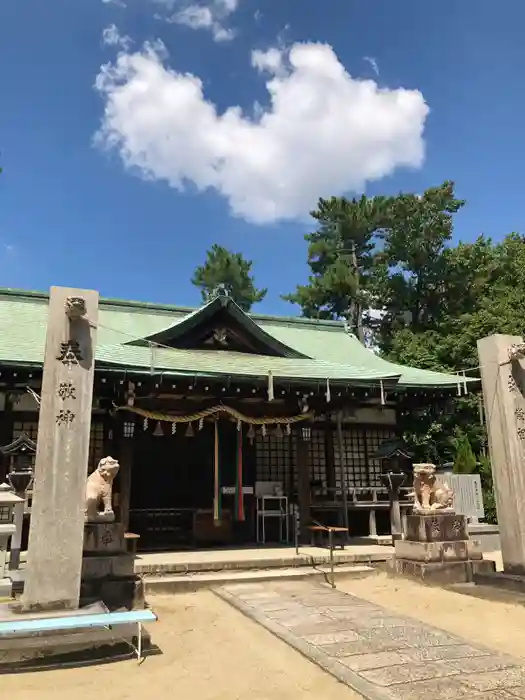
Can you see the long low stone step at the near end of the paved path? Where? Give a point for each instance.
(194, 581)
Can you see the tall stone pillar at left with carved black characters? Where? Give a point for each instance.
(57, 519)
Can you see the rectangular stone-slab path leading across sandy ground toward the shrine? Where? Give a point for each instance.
(378, 654)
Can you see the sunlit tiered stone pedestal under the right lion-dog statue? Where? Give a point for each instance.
(437, 548)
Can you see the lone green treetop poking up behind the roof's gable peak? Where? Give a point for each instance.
(232, 271)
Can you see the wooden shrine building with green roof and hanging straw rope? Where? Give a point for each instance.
(229, 427)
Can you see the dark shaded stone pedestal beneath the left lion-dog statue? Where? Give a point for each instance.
(108, 570)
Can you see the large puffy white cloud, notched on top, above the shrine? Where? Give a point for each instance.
(323, 132)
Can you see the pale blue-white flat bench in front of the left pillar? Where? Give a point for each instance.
(74, 622)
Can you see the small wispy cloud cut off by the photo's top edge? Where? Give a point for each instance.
(210, 15)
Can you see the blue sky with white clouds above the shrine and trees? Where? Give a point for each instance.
(107, 214)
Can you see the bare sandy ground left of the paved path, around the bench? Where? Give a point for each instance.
(210, 652)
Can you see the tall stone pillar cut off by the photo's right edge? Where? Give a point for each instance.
(505, 421)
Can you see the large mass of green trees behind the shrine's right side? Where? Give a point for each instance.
(390, 266)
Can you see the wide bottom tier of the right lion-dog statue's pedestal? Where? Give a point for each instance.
(443, 572)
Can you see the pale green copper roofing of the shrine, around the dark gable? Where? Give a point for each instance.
(327, 350)
